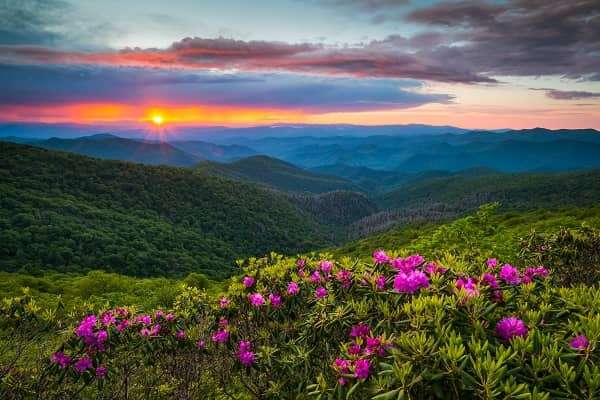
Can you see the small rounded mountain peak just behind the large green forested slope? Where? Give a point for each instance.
(277, 174)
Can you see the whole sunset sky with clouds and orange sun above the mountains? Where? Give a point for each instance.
(471, 63)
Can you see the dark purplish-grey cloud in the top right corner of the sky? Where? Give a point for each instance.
(521, 37)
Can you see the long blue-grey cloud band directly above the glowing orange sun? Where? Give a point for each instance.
(75, 84)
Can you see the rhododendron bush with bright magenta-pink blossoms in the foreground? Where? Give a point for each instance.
(398, 326)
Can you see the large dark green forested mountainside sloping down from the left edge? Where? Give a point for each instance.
(67, 212)
